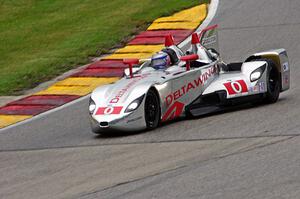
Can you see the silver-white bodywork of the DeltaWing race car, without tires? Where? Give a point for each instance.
(178, 88)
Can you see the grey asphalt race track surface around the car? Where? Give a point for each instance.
(248, 153)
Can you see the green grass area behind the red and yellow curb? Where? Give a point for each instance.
(40, 39)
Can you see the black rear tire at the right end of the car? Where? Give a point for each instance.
(273, 82)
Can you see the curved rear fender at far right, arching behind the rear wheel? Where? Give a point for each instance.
(280, 58)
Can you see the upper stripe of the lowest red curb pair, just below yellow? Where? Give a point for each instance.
(55, 100)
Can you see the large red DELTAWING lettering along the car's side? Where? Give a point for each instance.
(192, 85)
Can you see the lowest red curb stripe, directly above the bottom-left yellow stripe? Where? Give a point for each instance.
(24, 109)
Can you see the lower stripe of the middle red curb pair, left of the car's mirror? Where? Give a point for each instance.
(100, 72)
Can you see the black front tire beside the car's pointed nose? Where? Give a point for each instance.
(152, 110)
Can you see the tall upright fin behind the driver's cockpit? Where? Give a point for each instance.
(209, 38)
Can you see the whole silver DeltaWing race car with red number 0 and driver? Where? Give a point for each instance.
(196, 82)
